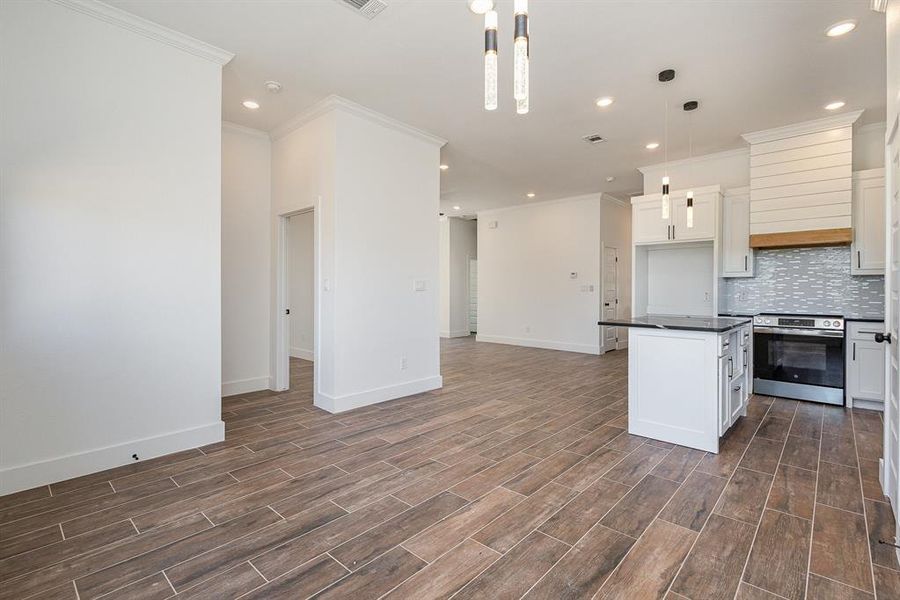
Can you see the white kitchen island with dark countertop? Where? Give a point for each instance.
(688, 377)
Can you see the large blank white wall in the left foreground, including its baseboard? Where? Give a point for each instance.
(110, 299)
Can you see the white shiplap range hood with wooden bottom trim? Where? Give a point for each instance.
(800, 183)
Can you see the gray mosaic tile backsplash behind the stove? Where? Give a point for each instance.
(805, 280)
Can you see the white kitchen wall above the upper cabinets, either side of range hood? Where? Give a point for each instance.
(731, 169)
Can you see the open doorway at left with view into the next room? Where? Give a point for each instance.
(297, 300)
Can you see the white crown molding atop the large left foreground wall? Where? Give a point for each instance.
(148, 29)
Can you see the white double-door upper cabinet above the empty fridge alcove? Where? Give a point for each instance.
(648, 226)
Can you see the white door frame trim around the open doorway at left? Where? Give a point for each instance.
(281, 351)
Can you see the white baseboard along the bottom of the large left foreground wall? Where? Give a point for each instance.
(23, 477)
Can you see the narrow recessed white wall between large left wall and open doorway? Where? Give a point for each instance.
(246, 256)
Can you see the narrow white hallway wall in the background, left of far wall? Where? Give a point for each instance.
(459, 243)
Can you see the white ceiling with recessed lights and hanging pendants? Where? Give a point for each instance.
(752, 64)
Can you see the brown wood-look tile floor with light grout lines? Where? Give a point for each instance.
(515, 480)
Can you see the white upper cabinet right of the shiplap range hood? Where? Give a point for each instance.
(868, 223)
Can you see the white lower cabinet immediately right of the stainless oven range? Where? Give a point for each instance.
(865, 366)
